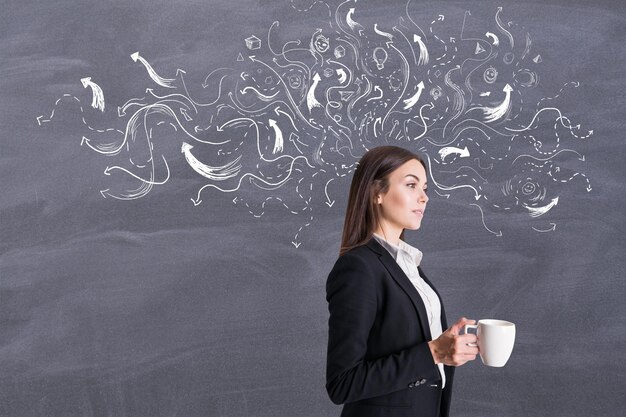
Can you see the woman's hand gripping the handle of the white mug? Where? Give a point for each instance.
(452, 348)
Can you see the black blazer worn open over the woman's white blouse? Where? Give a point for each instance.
(378, 360)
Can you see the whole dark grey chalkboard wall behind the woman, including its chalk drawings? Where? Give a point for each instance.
(175, 176)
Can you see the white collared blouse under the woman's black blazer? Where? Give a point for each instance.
(409, 258)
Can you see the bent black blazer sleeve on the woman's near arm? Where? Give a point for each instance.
(352, 304)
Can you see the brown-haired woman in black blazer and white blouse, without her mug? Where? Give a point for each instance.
(389, 353)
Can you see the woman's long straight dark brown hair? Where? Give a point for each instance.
(370, 178)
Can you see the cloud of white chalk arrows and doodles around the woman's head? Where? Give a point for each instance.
(286, 119)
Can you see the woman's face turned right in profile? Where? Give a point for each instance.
(404, 203)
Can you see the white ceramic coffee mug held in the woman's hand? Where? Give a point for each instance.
(495, 340)
